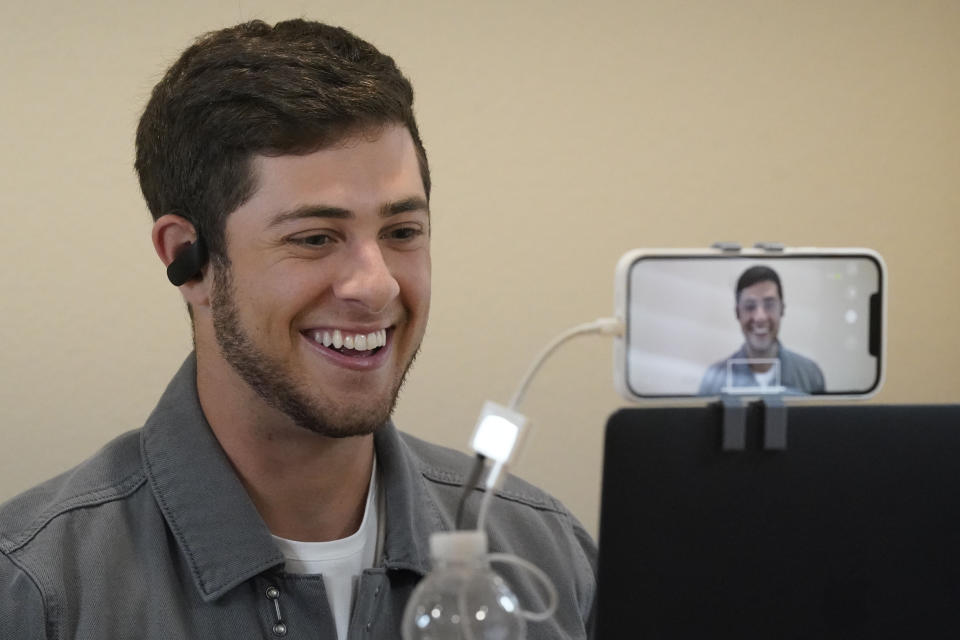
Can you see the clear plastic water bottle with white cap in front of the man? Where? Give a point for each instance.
(462, 598)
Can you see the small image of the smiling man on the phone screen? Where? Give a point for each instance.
(759, 309)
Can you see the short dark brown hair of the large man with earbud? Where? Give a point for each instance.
(251, 89)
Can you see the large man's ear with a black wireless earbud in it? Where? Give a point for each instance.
(183, 252)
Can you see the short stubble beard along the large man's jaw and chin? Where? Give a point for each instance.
(271, 380)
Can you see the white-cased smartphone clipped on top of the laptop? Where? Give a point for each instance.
(797, 322)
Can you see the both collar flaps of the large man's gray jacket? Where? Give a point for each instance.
(222, 536)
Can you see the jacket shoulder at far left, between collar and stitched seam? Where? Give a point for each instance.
(111, 474)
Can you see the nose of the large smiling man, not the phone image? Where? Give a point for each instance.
(366, 279)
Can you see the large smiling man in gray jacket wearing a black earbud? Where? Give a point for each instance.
(269, 495)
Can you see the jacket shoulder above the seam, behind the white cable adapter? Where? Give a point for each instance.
(445, 466)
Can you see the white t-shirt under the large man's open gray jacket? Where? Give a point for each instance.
(340, 562)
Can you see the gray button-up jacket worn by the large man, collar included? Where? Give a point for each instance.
(155, 537)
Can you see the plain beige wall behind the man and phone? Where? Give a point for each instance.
(560, 135)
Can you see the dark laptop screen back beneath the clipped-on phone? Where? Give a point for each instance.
(852, 532)
